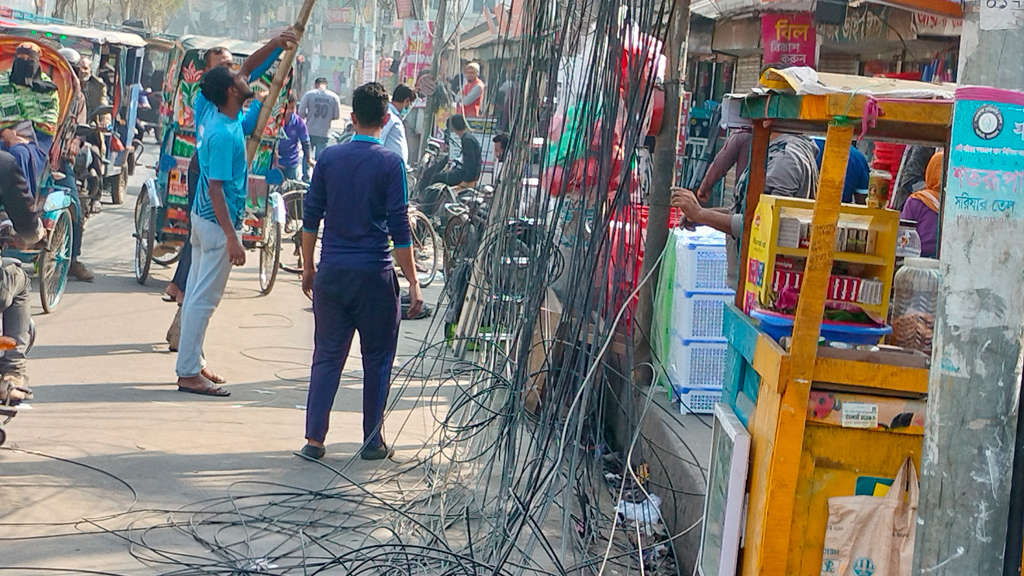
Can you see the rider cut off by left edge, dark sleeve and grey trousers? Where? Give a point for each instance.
(16, 195)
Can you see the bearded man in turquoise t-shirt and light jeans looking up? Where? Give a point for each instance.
(217, 220)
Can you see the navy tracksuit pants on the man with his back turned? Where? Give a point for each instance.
(347, 302)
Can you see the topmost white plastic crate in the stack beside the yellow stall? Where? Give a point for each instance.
(702, 263)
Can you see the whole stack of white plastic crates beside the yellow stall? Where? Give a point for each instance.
(696, 364)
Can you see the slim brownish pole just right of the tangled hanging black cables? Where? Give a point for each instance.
(660, 199)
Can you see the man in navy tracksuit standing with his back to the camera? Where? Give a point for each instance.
(359, 191)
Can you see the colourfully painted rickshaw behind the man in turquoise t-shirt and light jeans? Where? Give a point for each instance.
(162, 210)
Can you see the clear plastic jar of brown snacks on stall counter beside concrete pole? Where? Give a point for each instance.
(917, 291)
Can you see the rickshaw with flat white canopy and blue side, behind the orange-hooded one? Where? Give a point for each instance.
(123, 52)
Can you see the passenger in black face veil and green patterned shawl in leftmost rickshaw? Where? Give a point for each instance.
(27, 94)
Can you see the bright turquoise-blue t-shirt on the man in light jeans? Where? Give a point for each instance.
(222, 150)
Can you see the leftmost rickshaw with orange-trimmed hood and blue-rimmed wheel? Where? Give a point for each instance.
(53, 256)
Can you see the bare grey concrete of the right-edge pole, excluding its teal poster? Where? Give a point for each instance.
(974, 391)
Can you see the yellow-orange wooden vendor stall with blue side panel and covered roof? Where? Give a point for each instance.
(825, 420)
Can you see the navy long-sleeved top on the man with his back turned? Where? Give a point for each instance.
(359, 190)
